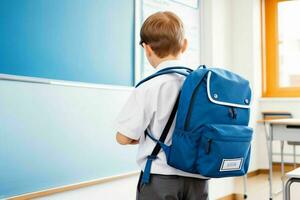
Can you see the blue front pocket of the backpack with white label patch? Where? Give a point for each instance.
(224, 150)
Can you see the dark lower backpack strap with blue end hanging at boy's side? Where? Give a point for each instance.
(160, 143)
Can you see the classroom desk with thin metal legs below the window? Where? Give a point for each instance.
(282, 130)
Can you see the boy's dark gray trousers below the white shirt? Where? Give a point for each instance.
(172, 187)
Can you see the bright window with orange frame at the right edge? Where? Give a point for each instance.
(281, 74)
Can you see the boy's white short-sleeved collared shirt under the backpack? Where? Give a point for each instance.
(149, 107)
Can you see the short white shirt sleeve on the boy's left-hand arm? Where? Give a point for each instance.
(135, 116)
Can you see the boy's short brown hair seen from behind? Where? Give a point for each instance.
(164, 32)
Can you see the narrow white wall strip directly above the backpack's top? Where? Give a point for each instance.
(216, 30)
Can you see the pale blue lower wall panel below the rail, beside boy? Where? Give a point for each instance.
(52, 136)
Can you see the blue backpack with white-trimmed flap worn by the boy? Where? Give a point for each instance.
(211, 135)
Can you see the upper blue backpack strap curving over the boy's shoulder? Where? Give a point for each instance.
(169, 70)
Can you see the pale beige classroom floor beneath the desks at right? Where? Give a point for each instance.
(258, 188)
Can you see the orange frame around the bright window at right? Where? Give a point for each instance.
(270, 71)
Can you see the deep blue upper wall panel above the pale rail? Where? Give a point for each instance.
(76, 40)
